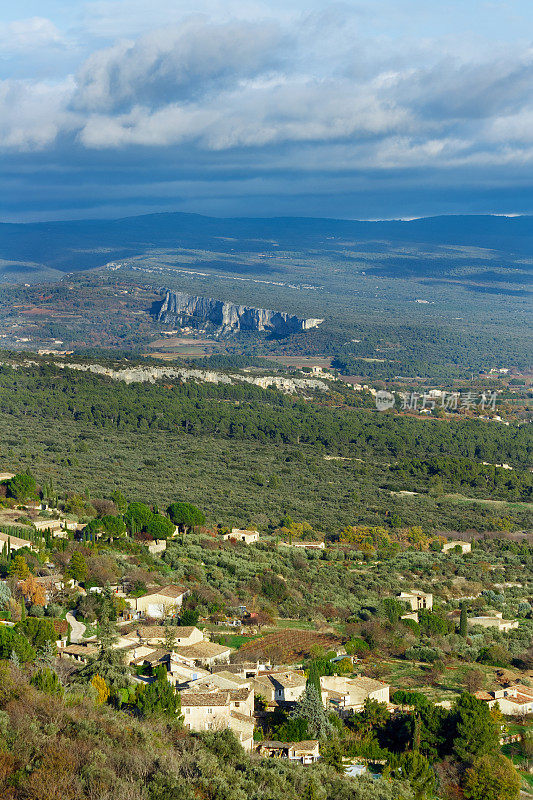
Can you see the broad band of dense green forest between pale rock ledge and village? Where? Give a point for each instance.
(248, 454)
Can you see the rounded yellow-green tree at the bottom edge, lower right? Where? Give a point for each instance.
(491, 778)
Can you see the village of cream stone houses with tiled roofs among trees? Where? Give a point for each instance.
(221, 685)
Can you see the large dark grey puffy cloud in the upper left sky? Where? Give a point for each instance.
(177, 64)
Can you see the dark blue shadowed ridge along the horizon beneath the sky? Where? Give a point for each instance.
(78, 245)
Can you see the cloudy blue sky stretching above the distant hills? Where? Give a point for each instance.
(364, 109)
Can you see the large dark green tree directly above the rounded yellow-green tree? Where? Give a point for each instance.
(476, 734)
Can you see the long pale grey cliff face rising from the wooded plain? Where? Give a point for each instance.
(228, 316)
